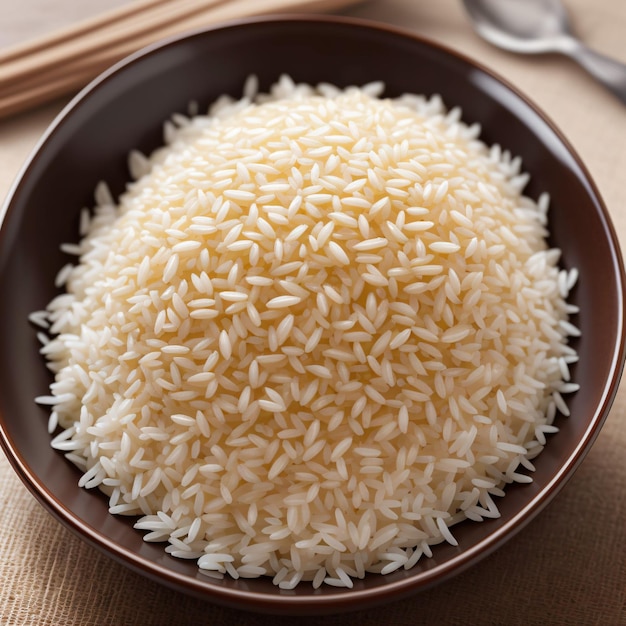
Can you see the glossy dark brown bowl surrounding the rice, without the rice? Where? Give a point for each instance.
(124, 109)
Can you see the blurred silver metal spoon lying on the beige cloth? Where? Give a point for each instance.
(538, 26)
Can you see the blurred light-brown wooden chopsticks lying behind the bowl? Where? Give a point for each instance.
(64, 61)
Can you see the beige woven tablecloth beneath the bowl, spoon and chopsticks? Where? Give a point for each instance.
(567, 567)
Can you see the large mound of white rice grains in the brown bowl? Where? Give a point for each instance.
(318, 330)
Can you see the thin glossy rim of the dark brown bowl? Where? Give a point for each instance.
(356, 598)
